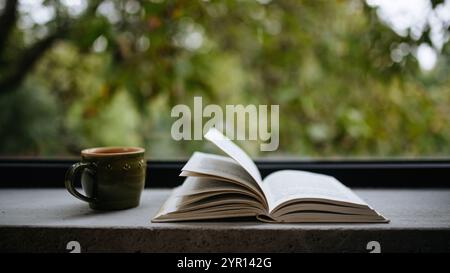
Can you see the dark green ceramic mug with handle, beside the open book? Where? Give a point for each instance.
(112, 177)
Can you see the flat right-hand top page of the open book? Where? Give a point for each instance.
(287, 185)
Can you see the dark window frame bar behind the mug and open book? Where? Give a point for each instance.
(49, 173)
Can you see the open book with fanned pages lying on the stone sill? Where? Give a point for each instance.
(229, 187)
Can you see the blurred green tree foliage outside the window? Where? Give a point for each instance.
(352, 78)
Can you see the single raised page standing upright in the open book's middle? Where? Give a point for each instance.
(231, 149)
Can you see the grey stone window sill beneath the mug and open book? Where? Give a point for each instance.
(46, 219)
